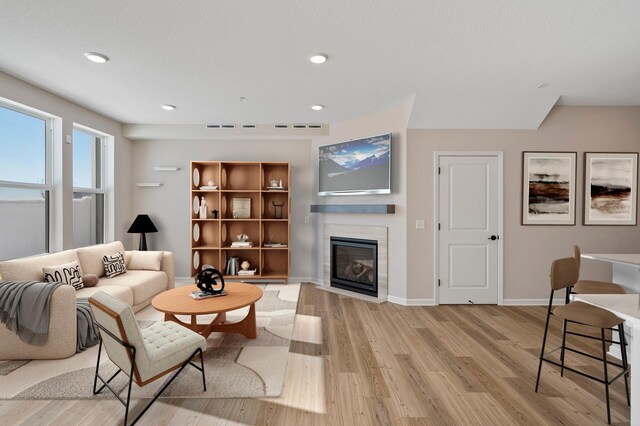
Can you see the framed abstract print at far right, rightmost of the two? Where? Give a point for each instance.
(610, 188)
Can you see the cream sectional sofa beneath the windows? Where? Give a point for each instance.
(136, 287)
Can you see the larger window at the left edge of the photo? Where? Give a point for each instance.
(25, 182)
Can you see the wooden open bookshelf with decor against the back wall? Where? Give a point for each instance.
(245, 184)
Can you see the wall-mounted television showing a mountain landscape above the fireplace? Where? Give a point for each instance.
(356, 167)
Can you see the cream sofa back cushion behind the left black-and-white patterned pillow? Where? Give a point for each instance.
(30, 268)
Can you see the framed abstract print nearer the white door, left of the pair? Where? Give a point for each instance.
(549, 188)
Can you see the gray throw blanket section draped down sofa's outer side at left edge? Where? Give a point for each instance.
(24, 309)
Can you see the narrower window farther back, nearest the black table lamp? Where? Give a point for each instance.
(88, 187)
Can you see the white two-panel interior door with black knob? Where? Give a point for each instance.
(468, 235)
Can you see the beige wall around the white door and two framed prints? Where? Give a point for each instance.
(528, 250)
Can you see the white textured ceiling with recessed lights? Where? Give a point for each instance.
(471, 64)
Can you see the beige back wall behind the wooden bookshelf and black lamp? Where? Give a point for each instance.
(169, 205)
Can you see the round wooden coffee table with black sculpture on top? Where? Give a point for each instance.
(178, 301)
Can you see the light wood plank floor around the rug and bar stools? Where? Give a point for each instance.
(359, 363)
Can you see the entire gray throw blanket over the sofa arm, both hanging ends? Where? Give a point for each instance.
(24, 309)
